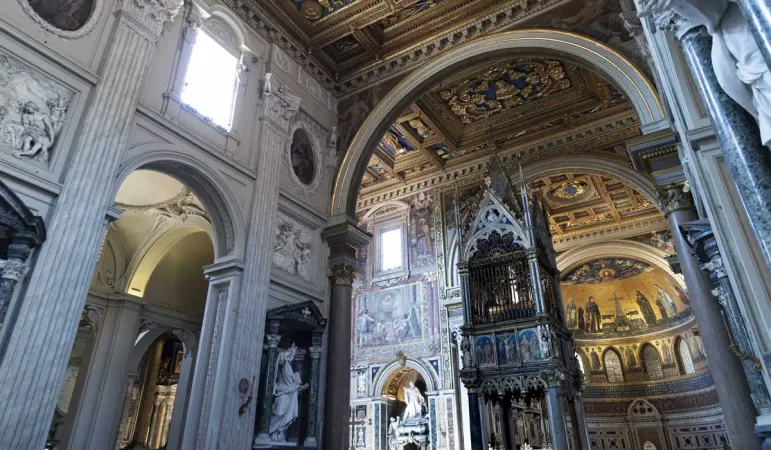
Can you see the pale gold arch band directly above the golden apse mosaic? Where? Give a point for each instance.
(617, 248)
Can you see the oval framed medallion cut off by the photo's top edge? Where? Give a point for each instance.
(69, 19)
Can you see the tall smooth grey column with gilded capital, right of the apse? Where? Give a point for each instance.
(727, 371)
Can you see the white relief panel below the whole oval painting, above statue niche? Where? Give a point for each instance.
(293, 248)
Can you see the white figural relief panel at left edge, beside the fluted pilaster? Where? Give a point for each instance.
(33, 109)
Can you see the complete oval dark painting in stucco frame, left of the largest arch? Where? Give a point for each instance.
(303, 156)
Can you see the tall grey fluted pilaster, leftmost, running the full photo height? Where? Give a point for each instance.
(37, 349)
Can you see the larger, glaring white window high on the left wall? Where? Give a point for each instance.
(210, 81)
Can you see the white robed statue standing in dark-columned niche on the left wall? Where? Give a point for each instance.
(286, 390)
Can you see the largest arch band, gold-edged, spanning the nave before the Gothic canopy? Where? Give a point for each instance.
(566, 45)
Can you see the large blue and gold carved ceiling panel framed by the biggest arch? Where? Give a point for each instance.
(505, 86)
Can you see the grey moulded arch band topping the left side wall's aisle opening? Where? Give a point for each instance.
(220, 205)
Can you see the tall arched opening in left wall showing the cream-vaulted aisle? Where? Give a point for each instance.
(147, 299)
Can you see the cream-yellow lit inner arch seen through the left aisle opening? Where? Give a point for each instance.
(153, 250)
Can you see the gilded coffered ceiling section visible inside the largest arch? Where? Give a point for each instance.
(499, 107)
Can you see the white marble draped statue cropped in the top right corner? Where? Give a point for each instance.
(739, 66)
